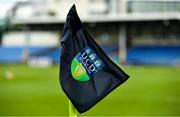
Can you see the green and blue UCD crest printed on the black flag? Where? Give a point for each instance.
(85, 65)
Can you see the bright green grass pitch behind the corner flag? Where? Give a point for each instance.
(36, 91)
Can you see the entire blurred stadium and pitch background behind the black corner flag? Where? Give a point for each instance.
(141, 36)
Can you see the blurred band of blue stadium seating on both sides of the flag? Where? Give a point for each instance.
(148, 55)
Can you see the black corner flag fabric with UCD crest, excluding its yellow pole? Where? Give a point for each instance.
(87, 75)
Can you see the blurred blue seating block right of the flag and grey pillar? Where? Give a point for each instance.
(160, 55)
